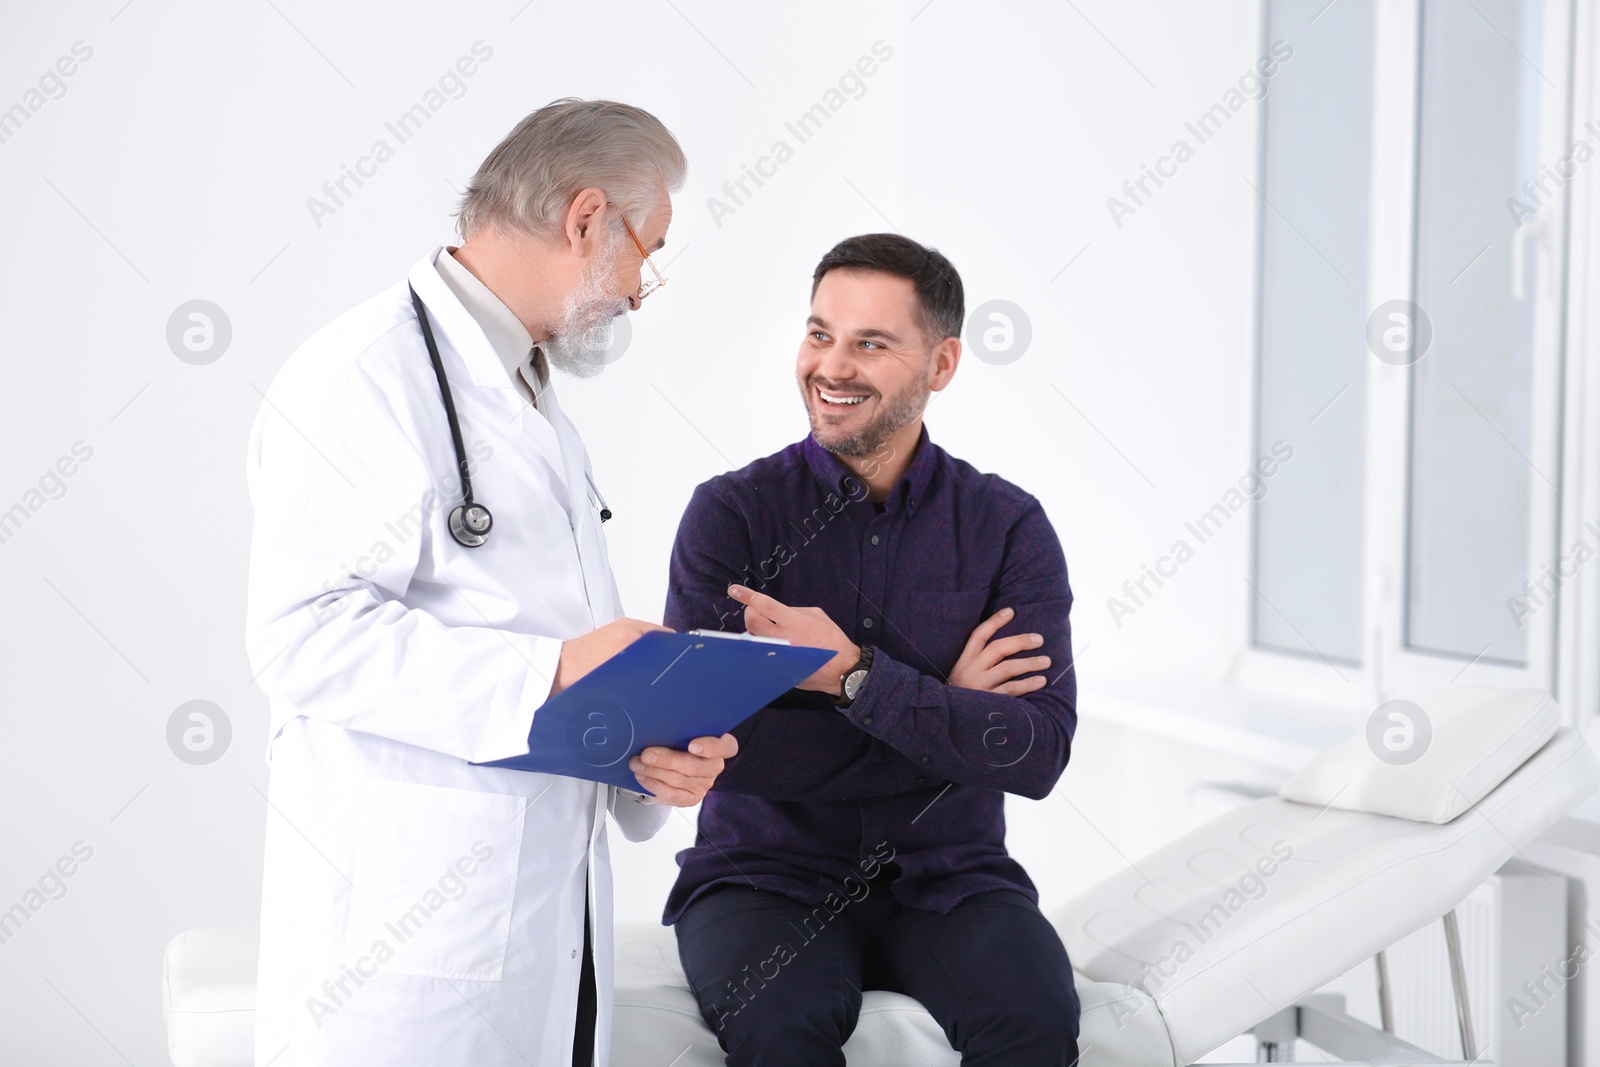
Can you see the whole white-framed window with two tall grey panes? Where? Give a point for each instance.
(1414, 206)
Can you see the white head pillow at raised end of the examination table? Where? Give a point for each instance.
(1479, 735)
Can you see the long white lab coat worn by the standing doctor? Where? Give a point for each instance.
(418, 909)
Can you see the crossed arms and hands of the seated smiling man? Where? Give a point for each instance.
(1001, 721)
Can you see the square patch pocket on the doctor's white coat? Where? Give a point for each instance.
(436, 876)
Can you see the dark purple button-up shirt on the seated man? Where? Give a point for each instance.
(914, 769)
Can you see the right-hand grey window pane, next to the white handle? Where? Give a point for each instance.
(1482, 262)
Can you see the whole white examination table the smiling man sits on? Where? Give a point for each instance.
(1354, 884)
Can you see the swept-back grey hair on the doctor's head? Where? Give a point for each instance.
(567, 146)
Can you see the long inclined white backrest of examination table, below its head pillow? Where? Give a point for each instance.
(1274, 900)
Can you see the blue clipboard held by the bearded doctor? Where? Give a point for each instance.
(663, 690)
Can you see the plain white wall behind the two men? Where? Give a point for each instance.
(177, 166)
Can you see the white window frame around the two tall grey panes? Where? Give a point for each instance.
(1564, 644)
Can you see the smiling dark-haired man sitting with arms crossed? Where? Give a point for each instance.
(858, 839)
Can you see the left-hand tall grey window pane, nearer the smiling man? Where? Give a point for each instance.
(1313, 209)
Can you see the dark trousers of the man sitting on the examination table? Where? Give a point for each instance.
(782, 983)
